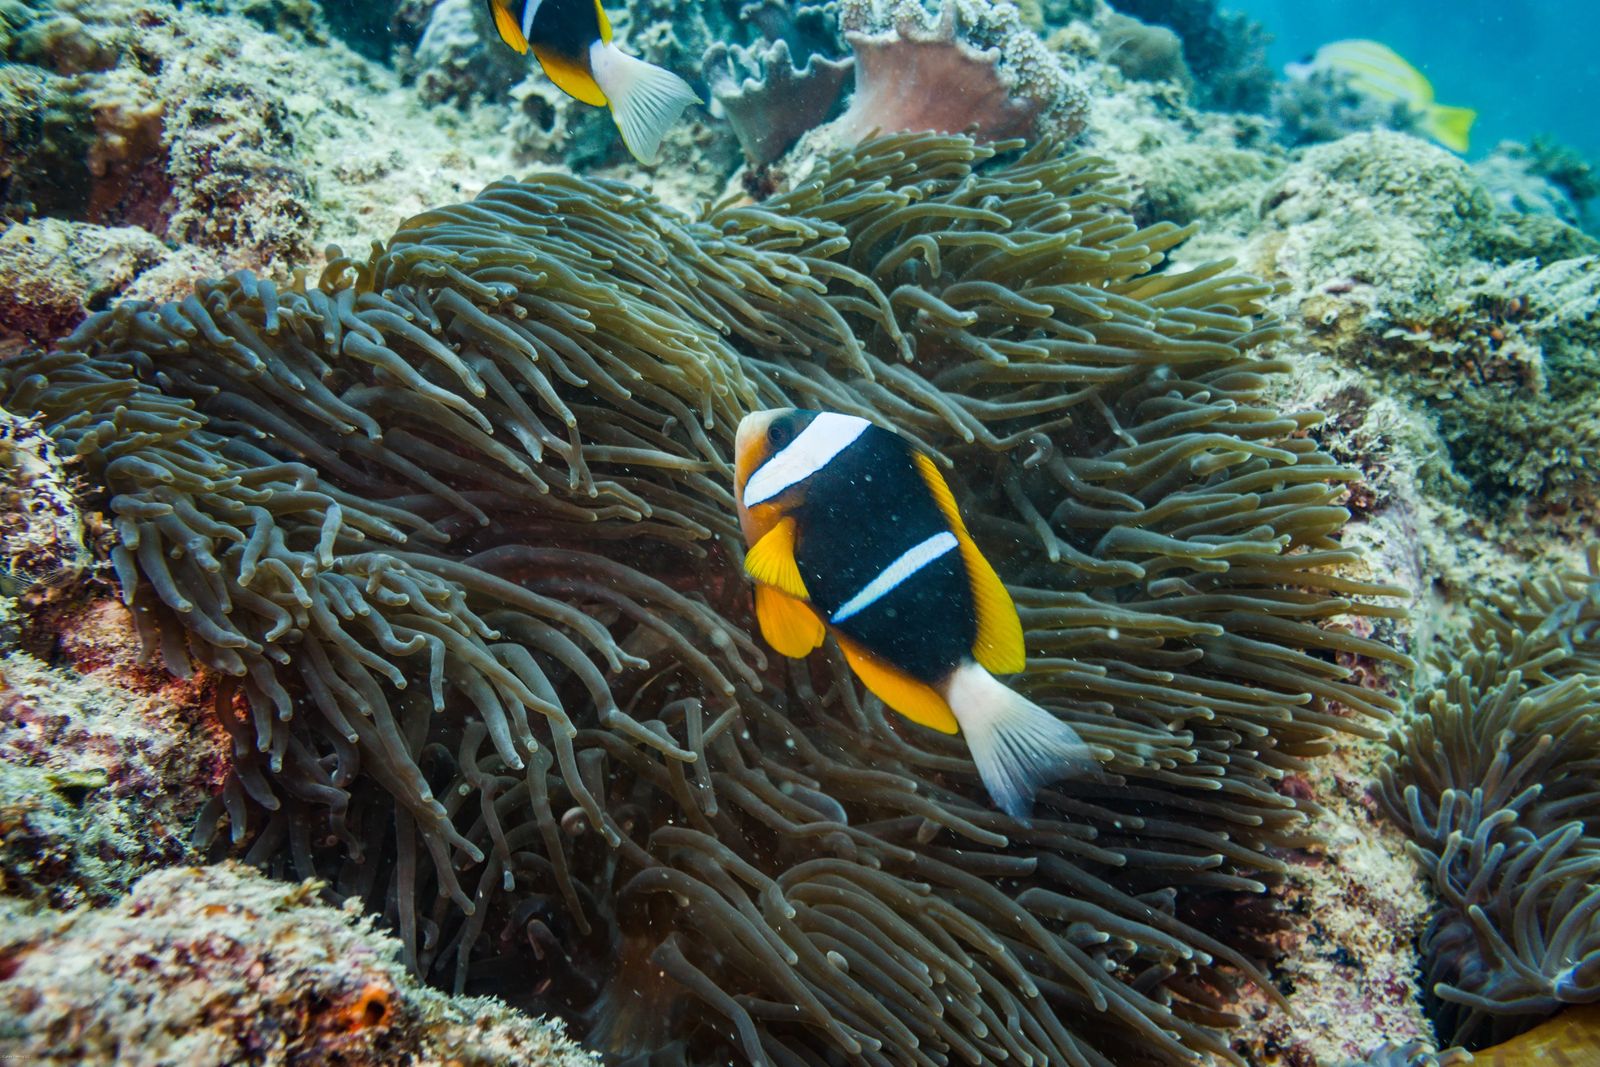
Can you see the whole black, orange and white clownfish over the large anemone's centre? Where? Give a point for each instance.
(854, 532)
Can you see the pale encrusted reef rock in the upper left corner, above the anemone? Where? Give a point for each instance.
(234, 129)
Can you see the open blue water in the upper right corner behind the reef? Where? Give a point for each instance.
(1527, 66)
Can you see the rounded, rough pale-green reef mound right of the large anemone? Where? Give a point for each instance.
(1398, 263)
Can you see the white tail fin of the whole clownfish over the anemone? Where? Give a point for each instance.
(1017, 745)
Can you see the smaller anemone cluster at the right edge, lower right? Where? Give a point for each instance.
(1497, 781)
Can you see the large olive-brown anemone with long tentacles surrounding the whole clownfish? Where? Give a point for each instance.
(454, 527)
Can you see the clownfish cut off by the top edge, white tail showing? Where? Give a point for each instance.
(572, 41)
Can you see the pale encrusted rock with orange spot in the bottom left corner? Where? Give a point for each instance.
(220, 965)
